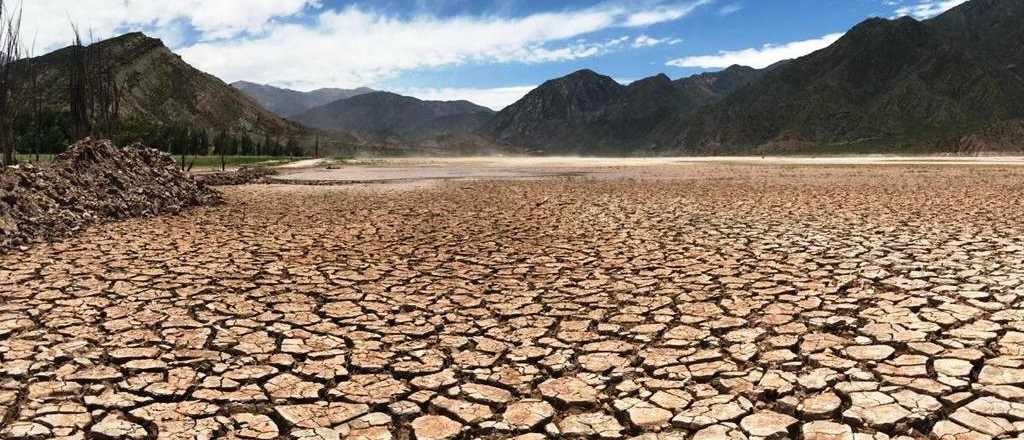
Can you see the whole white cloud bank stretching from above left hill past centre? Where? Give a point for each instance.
(306, 45)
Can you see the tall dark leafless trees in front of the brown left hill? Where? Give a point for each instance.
(93, 91)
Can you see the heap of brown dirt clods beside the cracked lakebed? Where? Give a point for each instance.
(92, 183)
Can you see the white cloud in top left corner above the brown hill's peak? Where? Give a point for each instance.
(49, 21)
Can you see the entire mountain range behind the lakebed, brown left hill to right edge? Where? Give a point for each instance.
(953, 83)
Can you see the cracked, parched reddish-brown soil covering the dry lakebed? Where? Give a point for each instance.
(714, 302)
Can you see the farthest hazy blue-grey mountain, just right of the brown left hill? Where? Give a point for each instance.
(287, 103)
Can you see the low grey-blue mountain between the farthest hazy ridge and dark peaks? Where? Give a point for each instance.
(390, 115)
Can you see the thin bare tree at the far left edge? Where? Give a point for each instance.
(11, 52)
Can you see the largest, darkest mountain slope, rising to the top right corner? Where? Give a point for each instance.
(900, 83)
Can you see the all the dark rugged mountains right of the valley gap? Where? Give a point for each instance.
(951, 83)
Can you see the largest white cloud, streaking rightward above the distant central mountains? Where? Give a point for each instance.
(355, 47)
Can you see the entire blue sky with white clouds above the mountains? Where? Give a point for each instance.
(488, 52)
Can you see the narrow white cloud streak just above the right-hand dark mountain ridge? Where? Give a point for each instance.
(757, 58)
